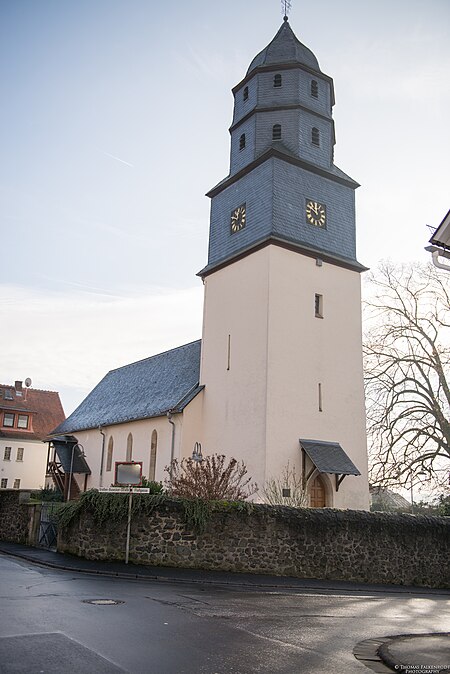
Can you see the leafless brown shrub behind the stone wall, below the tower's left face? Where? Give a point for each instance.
(212, 478)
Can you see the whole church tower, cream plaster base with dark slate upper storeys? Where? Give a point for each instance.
(281, 351)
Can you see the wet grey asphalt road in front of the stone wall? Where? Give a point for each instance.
(47, 625)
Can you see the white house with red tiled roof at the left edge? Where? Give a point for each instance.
(27, 416)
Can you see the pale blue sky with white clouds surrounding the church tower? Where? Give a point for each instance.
(114, 122)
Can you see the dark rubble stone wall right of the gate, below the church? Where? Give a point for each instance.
(305, 543)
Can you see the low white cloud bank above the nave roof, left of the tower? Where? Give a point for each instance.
(71, 340)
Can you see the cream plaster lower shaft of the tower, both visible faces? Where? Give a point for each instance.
(268, 399)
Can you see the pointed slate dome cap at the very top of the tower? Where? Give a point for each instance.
(285, 48)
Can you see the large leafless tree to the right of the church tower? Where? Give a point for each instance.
(407, 361)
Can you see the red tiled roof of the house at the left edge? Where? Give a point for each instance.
(44, 406)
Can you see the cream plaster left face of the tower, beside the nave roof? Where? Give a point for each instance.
(234, 401)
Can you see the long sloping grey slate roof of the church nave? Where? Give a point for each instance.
(148, 388)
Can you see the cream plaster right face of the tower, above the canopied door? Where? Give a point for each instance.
(305, 351)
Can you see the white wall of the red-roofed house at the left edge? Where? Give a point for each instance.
(30, 471)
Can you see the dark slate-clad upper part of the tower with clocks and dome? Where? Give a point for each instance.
(282, 162)
